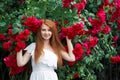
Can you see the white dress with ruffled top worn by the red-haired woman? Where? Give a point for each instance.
(44, 69)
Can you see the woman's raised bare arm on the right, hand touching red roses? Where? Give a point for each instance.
(68, 56)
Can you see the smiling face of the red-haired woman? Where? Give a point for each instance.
(46, 32)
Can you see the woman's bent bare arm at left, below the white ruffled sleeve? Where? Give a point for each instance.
(22, 59)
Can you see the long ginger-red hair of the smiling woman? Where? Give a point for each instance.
(54, 42)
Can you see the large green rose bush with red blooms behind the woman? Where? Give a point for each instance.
(93, 26)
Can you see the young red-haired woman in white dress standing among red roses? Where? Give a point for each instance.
(47, 52)
